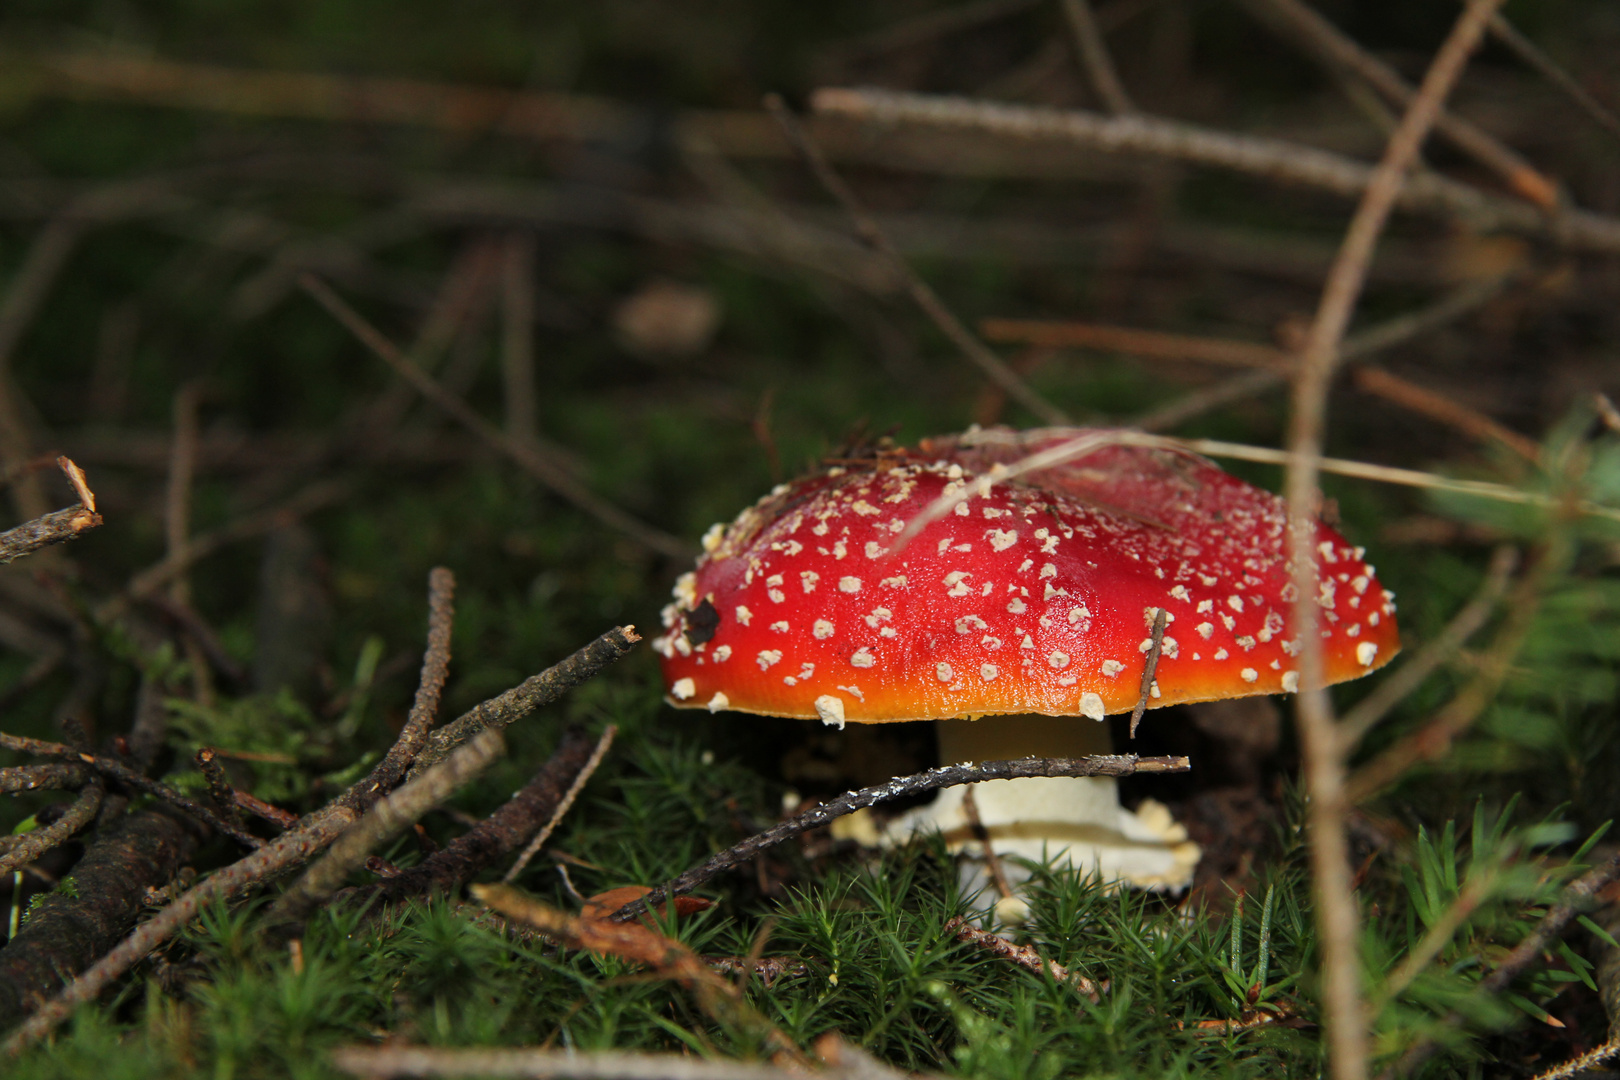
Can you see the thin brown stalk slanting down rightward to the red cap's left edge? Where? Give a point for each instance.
(529, 454)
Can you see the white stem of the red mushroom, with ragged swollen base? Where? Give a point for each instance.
(1075, 822)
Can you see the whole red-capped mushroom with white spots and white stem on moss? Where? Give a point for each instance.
(1033, 598)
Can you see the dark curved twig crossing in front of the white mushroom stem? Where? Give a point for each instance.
(918, 784)
